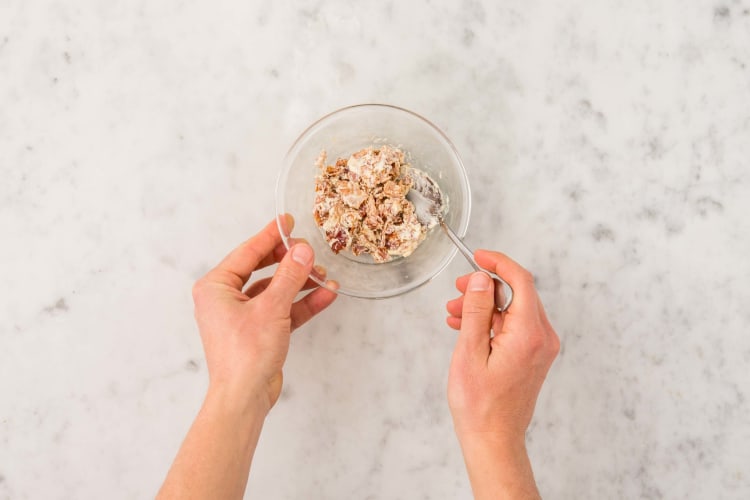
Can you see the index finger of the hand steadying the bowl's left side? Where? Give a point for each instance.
(237, 267)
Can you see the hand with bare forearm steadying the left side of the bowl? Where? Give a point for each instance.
(246, 339)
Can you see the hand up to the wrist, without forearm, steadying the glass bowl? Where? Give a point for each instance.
(246, 334)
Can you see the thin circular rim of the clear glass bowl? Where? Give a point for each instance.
(461, 231)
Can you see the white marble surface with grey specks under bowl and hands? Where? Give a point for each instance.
(608, 146)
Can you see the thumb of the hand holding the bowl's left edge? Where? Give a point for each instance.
(290, 276)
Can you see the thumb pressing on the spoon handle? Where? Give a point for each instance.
(476, 315)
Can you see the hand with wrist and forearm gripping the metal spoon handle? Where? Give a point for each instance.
(494, 381)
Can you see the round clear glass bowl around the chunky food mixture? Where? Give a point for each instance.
(342, 133)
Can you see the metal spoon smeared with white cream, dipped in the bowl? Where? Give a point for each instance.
(428, 203)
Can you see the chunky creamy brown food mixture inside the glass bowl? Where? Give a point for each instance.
(361, 205)
